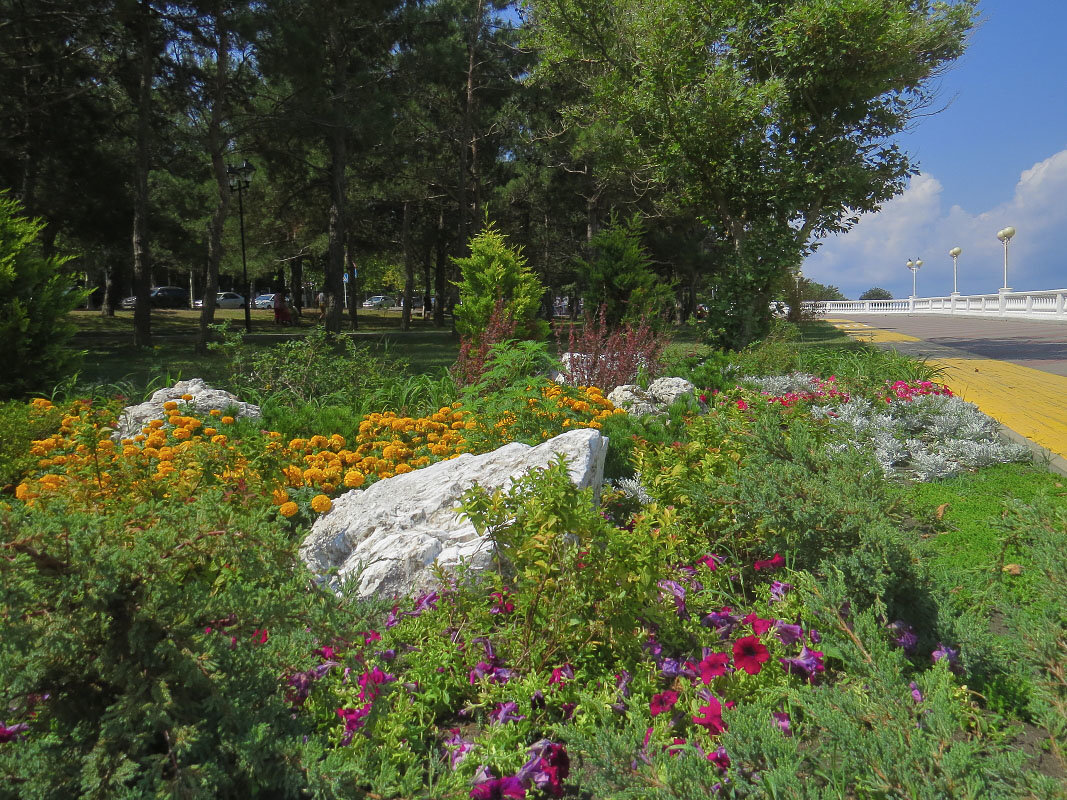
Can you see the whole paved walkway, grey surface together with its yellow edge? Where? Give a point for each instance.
(1013, 371)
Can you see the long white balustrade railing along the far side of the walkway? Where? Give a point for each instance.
(1043, 306)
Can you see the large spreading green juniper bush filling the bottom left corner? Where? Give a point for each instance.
(148, 653)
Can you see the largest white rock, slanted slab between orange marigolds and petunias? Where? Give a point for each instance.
(390, 536)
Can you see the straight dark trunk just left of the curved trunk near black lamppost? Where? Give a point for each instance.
(142, 258)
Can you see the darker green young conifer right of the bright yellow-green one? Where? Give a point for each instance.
(619, 277)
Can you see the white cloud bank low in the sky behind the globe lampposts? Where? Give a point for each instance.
(915, 225)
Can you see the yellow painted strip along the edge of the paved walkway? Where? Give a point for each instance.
(1031, 403)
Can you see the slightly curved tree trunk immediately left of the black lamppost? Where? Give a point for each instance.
(216, 149)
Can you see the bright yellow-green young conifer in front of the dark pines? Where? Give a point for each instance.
(497, 270)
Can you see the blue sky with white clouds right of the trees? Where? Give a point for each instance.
(995, 155)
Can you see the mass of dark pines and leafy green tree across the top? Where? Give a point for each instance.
(735, 135)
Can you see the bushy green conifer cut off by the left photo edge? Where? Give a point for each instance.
(36, 298)
